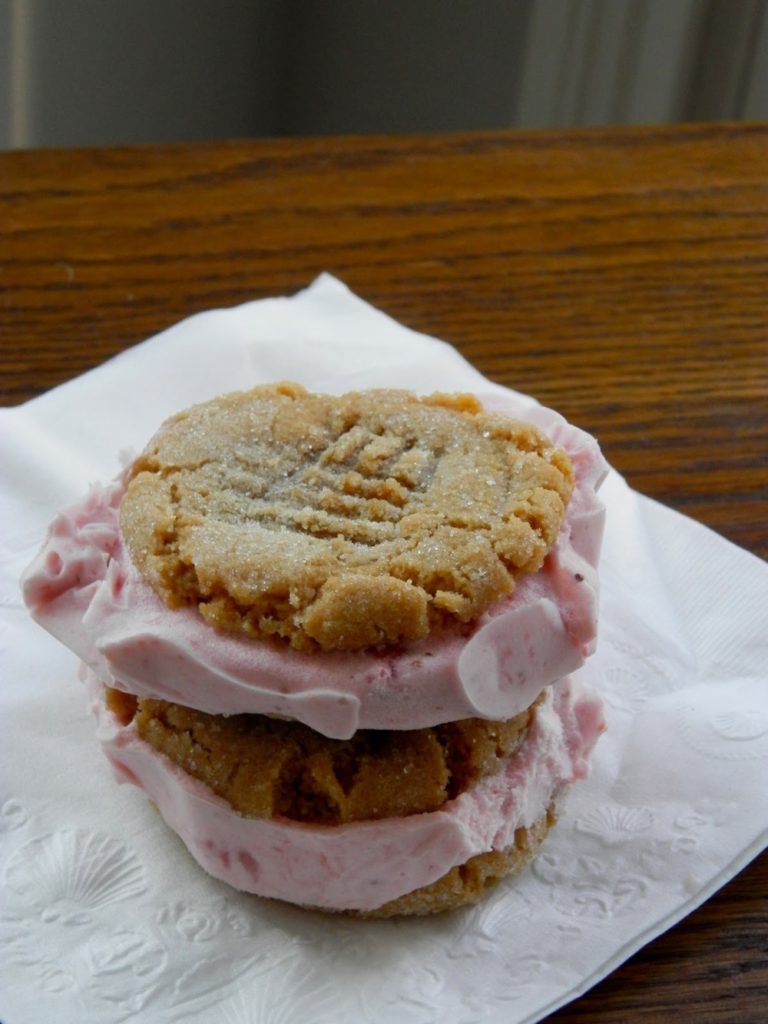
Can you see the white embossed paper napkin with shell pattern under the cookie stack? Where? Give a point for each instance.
(105, 918)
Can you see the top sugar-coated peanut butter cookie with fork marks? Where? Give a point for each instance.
(343, 522)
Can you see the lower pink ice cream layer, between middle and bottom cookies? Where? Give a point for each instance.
(361, 867)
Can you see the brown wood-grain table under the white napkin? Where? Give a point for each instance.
(619, 276)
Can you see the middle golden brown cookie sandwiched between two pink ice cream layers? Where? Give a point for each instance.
(272, 769)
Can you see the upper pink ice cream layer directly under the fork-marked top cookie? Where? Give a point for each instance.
(84, 590)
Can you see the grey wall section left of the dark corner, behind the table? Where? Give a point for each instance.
(97, 72)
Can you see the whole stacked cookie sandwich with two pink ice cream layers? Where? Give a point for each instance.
(331, 637)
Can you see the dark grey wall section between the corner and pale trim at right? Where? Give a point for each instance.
(359, 66)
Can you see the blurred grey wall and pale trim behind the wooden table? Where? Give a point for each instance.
(101, 72)
